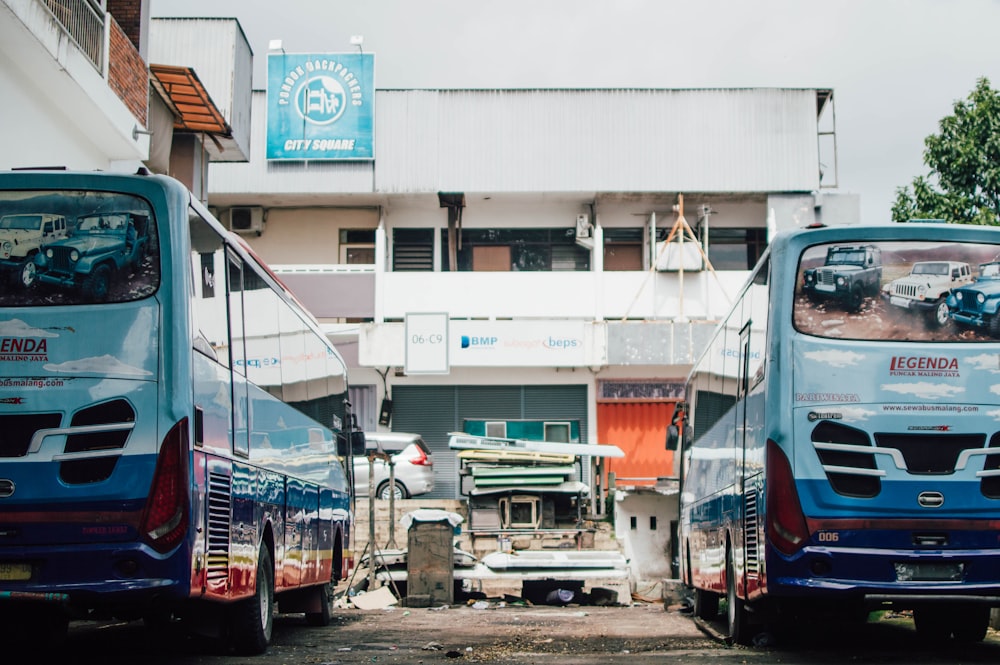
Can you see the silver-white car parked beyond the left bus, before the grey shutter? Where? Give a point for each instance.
(414, 467)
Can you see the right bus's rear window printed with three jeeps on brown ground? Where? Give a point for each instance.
(899, 291)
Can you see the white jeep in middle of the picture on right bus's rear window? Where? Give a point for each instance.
(926, 288)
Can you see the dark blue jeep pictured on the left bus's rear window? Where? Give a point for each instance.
(100, 247)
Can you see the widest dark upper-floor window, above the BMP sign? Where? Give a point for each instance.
(519, 250)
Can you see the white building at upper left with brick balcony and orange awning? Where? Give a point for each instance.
(82, 90)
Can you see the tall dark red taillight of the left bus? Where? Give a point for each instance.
(164, 522)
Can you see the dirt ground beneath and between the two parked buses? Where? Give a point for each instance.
(634, 634)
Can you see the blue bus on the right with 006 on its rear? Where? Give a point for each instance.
(840, 446)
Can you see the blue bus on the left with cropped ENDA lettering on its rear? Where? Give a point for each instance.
(172, 421)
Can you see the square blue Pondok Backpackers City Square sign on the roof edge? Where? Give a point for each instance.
(320, 106)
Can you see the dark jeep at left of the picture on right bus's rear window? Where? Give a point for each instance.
(849, 273)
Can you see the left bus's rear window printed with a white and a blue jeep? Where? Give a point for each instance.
(76, 247)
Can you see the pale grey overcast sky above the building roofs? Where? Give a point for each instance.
(896, 66)
